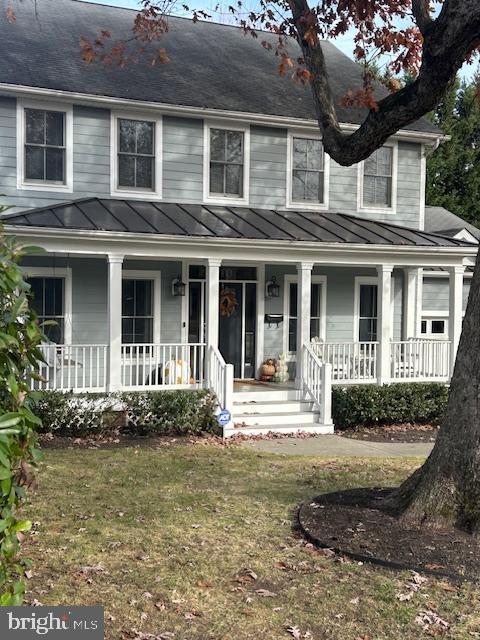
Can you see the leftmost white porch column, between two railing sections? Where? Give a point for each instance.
(114, 321)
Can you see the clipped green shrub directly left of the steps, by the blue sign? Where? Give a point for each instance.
(178, 412)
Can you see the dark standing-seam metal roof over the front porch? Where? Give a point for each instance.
(210, 221)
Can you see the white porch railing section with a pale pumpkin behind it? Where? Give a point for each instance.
(157, 366)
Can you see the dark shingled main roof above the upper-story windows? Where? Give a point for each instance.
(212, 66)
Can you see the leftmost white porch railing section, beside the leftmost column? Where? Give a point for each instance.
(79, 367)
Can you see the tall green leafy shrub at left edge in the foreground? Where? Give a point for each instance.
(19, 352)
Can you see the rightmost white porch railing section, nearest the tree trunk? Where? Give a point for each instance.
(420, 360)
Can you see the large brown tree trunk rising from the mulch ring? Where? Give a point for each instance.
(446, 489)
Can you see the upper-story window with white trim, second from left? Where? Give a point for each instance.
(136, 156)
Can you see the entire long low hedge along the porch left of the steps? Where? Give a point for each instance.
(178, 412)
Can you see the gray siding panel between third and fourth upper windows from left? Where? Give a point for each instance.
(268, 167)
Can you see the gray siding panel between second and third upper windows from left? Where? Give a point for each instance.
(182, 160)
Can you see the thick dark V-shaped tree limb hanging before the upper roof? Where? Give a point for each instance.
(449, 39)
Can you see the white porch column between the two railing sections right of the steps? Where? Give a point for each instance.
(384, 321)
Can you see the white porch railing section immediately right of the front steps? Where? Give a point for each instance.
(352, 362)
